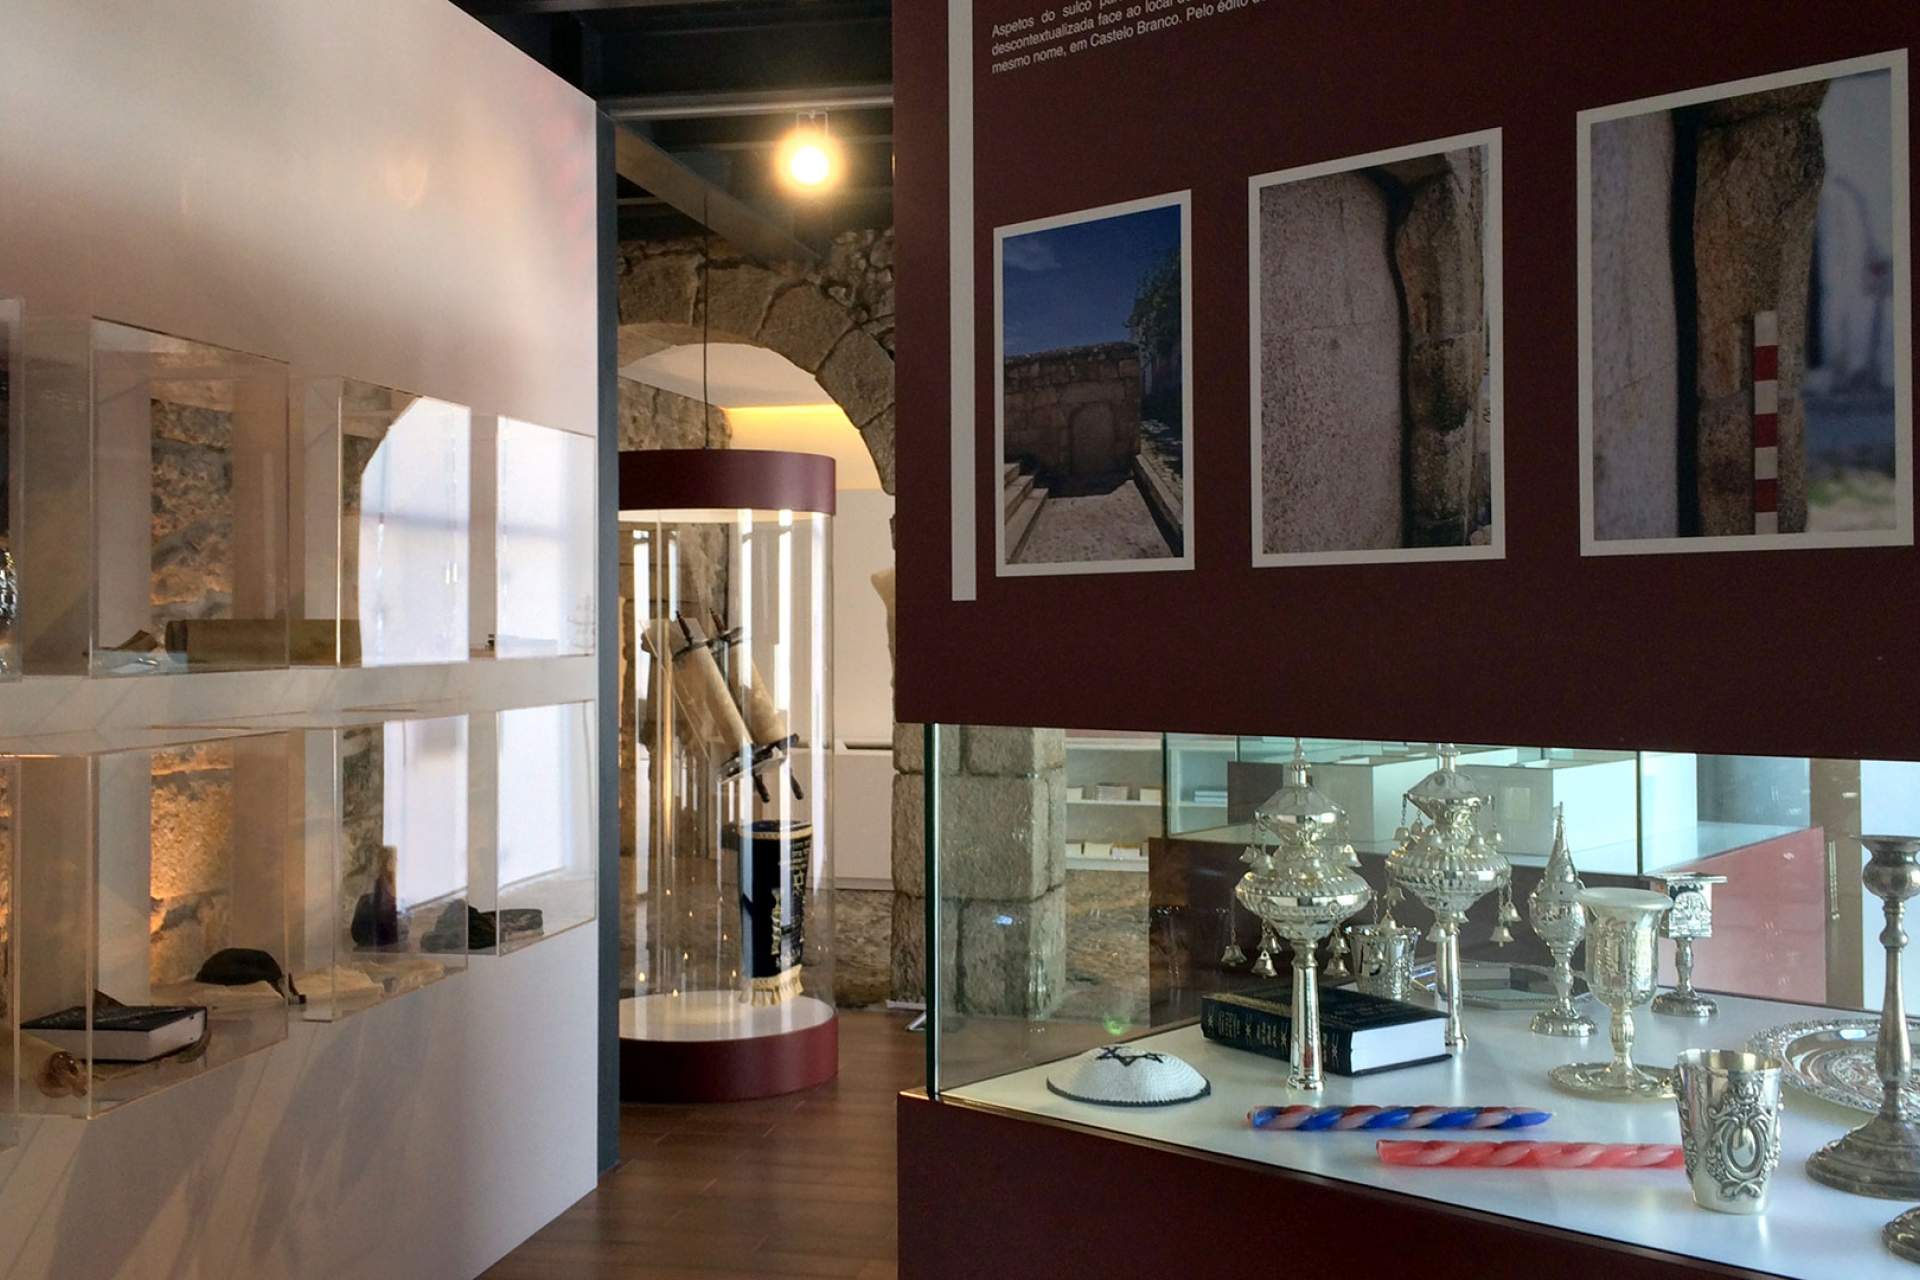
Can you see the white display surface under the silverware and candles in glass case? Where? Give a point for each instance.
(1810, 1233)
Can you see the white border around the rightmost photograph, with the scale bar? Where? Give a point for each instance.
(1904, 529)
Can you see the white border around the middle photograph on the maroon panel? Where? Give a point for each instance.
(1491, 283)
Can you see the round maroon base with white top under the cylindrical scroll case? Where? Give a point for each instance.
(711, 1047)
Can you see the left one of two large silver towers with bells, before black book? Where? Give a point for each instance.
(1301, 886)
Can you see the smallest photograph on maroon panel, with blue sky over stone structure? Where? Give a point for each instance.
(1093, 402)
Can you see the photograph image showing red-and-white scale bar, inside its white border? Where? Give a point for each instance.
(1737, 239)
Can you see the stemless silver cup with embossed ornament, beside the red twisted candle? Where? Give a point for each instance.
(1729, 1127)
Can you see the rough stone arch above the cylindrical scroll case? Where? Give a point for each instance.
(667, 300)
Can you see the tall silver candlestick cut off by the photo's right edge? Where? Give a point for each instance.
(1883, 1156)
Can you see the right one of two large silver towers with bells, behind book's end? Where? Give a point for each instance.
(1449, 863)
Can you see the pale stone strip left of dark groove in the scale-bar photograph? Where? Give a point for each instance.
(1637, 346)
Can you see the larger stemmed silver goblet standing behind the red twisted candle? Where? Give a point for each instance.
(1620, 970)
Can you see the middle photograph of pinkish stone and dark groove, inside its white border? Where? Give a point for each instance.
(1374, 358)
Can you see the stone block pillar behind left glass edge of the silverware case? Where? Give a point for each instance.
(1003, 868)
